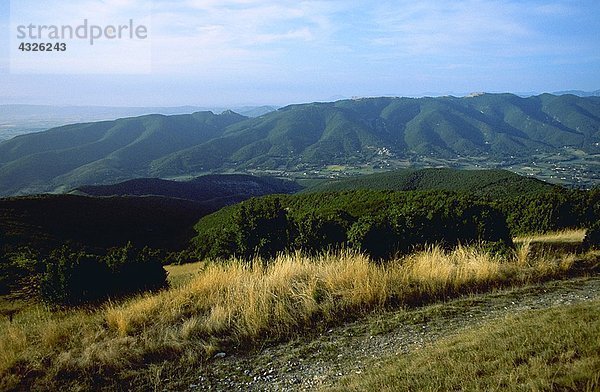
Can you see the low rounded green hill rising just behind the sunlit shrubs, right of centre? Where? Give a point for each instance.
(491, 183)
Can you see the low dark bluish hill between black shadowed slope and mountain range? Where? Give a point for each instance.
(215, 189)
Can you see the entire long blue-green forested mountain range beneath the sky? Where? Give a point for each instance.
(297, 138)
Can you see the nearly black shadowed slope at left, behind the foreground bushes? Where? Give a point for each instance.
(47, 222)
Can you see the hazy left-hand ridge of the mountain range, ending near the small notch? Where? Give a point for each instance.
(102, 152)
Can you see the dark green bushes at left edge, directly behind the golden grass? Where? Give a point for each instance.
(77, 277)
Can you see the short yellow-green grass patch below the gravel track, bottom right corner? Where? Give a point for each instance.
(544, 350)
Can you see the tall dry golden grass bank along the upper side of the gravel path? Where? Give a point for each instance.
(236, 304)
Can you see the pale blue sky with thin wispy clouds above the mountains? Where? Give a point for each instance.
(262, 52)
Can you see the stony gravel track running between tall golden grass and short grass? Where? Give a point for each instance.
(306, 365)
